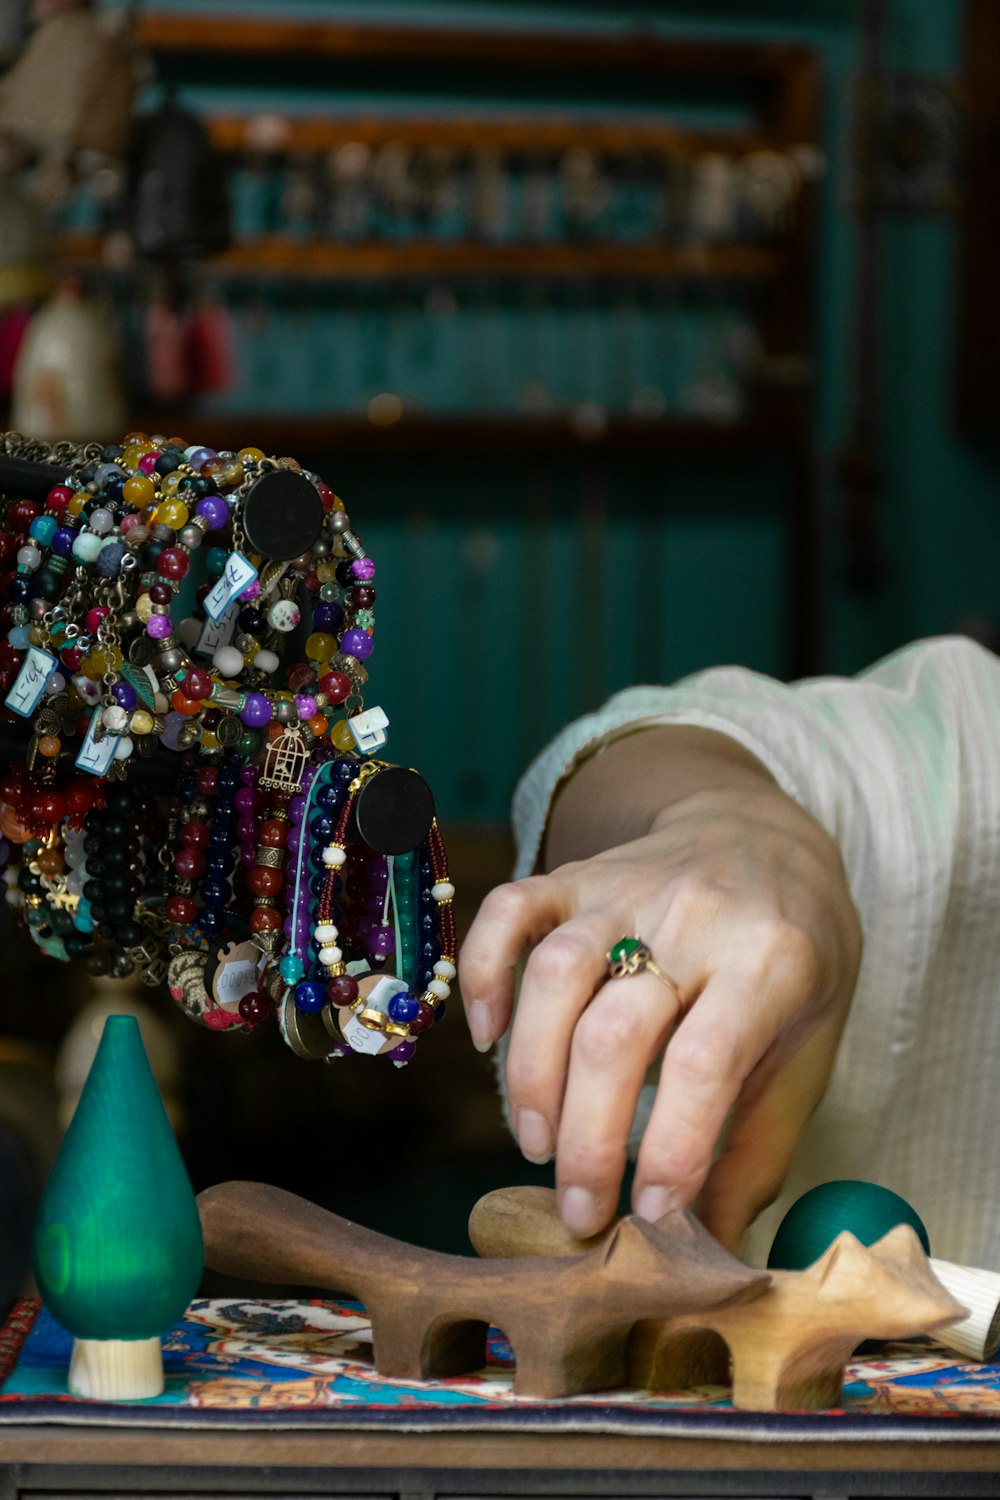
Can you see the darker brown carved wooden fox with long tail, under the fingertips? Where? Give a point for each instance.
(569, 1318)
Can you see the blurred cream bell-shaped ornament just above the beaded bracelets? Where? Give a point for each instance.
(67, 376)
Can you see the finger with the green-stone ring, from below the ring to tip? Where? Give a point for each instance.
(614, 1043)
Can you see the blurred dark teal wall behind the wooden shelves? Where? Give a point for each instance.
(513, 598)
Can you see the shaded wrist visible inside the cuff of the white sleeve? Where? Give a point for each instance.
(620, 794)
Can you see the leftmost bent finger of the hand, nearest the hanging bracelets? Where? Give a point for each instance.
(510, 917)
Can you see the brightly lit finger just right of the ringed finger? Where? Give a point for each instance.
(711, 1055)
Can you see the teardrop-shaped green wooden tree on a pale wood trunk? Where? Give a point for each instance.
(118, 1244)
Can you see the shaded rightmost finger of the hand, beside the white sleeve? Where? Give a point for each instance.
(764, 1135)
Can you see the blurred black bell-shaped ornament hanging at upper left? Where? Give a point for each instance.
(176, 194)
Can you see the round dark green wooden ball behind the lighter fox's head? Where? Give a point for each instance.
(863, 1208)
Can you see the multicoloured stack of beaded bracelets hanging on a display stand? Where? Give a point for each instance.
(133, 652)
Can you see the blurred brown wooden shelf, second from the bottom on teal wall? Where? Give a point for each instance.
(277, 256)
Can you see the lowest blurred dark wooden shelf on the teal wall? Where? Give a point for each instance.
(493, 437)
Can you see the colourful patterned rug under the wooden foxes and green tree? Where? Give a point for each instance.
(310, 1364)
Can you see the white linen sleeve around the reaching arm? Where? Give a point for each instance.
(902, 766)
